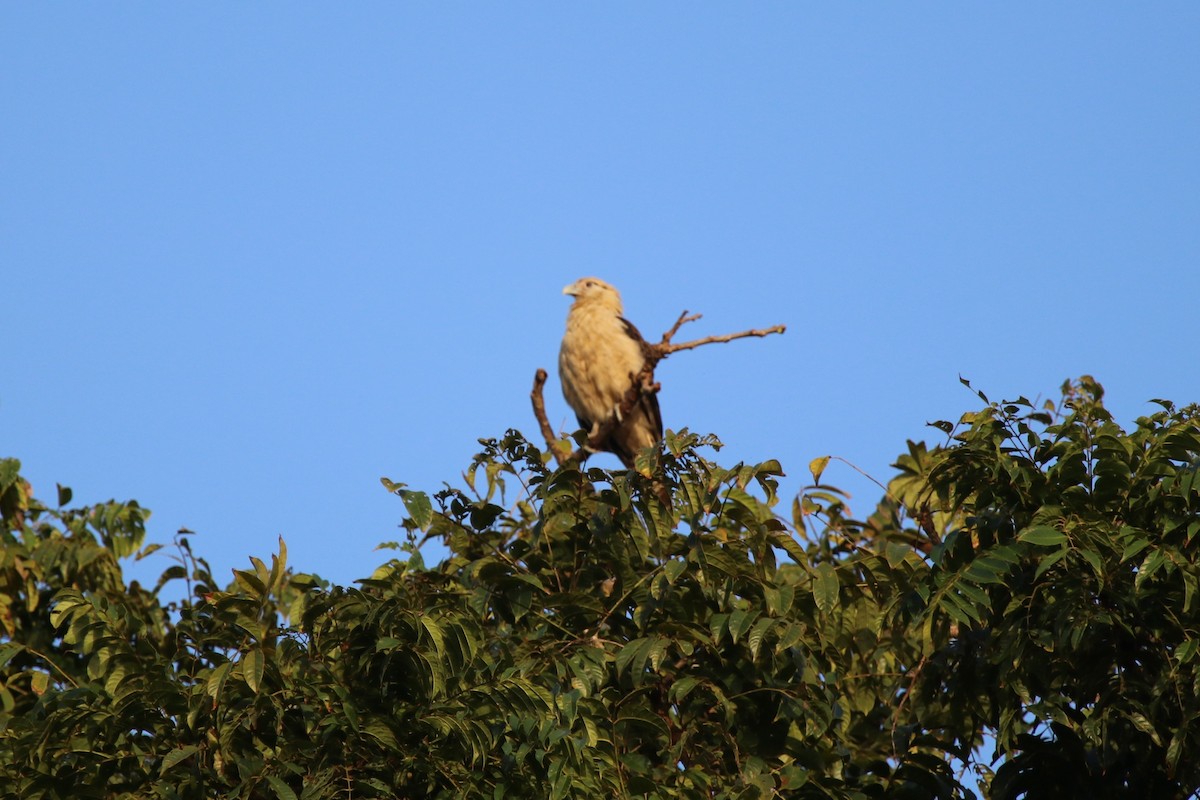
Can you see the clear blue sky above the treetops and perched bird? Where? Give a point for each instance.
(256, 256)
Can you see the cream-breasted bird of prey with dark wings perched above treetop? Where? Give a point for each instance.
(601, 357)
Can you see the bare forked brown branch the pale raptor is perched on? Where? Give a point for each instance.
(641, 384)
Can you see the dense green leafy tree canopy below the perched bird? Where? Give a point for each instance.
(1029, 585)
